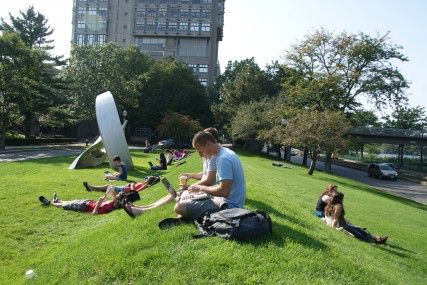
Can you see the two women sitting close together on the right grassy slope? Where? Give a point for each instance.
(330, 207)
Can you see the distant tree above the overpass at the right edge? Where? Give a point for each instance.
(406, 117)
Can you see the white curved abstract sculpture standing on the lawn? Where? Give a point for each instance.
(112, 140)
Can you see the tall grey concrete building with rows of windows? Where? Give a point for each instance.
(188, 30)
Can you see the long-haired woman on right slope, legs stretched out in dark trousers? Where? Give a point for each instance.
(334, 216)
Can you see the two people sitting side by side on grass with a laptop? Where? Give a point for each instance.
(219, 164)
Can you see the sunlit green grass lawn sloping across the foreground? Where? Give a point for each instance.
(76, 248)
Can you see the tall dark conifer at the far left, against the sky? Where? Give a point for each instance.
(33, 30)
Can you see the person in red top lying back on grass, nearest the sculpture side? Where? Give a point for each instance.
(100, 206)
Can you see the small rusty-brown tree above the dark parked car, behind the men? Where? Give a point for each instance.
(180, 127)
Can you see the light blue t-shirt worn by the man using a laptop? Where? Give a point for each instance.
(229, 168)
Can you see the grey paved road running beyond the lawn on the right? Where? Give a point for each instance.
(403, 188)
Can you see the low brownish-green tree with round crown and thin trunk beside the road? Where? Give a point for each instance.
(317, 131)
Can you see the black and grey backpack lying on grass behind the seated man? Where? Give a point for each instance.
(236, 224)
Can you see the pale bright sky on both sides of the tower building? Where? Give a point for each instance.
(265, 29)
